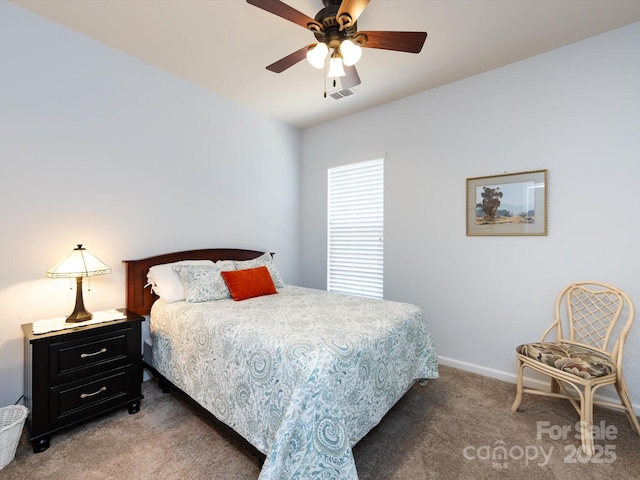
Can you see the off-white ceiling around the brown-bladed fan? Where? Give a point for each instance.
(225, 45)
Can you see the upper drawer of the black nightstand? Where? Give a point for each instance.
(72, 356)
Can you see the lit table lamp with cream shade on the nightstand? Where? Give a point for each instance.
(79, 263)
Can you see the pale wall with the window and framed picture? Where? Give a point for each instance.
(574, 111)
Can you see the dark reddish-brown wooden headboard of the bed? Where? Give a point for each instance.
(140, 299)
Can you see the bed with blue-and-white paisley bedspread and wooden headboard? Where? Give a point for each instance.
(301, 374)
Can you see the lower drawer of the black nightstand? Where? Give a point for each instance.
(75, 400)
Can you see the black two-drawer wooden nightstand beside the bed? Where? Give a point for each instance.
(75, 374)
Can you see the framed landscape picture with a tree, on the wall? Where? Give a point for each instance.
(509, 204)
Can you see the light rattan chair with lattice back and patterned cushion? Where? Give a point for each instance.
(581, 362)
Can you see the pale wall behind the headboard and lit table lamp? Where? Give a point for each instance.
(99, 148)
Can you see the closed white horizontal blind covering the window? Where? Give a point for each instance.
(356, 229)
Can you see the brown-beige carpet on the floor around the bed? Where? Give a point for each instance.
(457, 427)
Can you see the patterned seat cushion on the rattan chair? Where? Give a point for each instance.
(579, 361)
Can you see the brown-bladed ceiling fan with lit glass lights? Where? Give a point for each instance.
(335, 29)
